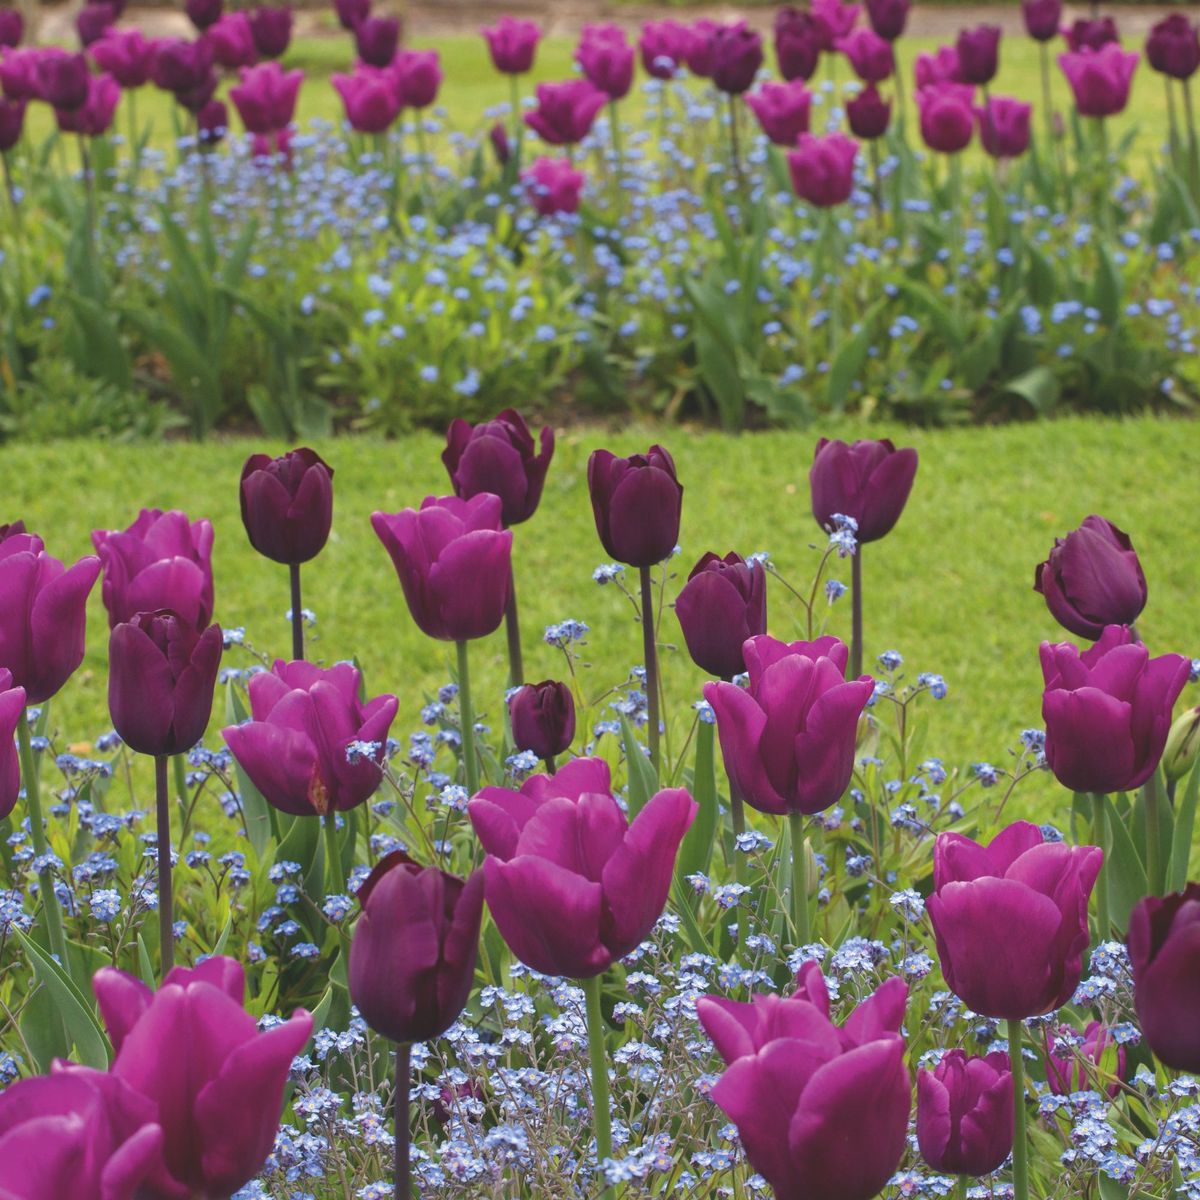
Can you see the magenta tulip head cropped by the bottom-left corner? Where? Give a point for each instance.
(79, 1133)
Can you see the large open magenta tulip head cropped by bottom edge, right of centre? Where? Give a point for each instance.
(821, 1111)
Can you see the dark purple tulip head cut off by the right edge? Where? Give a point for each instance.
(1165, 952)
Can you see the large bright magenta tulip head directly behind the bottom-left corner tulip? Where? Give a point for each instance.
(219, 1091)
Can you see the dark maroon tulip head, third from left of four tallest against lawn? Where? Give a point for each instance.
(637, 503)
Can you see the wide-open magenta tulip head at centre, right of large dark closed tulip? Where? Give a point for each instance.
(571, 884)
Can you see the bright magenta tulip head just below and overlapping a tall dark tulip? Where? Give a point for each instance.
(454, 562)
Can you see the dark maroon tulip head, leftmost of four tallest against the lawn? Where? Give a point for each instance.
(287, 505)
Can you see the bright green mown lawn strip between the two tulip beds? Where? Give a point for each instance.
(951, 589)
